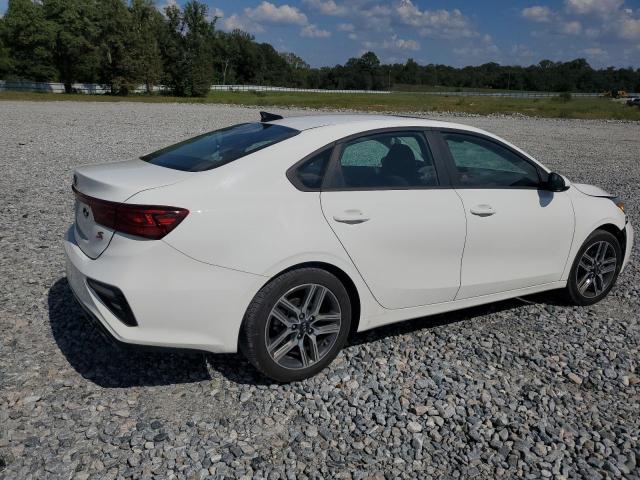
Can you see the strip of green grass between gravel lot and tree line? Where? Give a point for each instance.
(396, 102)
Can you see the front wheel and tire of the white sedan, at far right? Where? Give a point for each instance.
(595, 269)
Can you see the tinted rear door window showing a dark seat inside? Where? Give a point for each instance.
(387, 160)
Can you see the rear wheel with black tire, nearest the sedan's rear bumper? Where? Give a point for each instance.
(296, 324)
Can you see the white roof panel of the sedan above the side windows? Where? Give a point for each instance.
(364, 122)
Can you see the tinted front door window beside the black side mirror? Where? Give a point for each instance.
(482, 163)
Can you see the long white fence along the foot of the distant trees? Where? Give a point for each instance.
(96, 89)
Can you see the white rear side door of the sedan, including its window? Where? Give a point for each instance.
(397, 217)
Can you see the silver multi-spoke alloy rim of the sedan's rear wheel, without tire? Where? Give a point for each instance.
(303, 326)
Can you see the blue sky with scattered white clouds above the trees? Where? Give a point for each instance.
(457, 33)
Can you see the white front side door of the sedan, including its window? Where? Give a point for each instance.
(518, 234)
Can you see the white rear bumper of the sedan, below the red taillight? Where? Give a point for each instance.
(177, 301)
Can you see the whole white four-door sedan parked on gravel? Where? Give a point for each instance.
(280, 237)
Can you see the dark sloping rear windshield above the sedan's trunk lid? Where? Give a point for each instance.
(219, 147)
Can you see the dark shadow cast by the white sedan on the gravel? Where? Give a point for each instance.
(115, 365)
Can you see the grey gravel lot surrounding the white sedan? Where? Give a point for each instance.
(524, 388)
